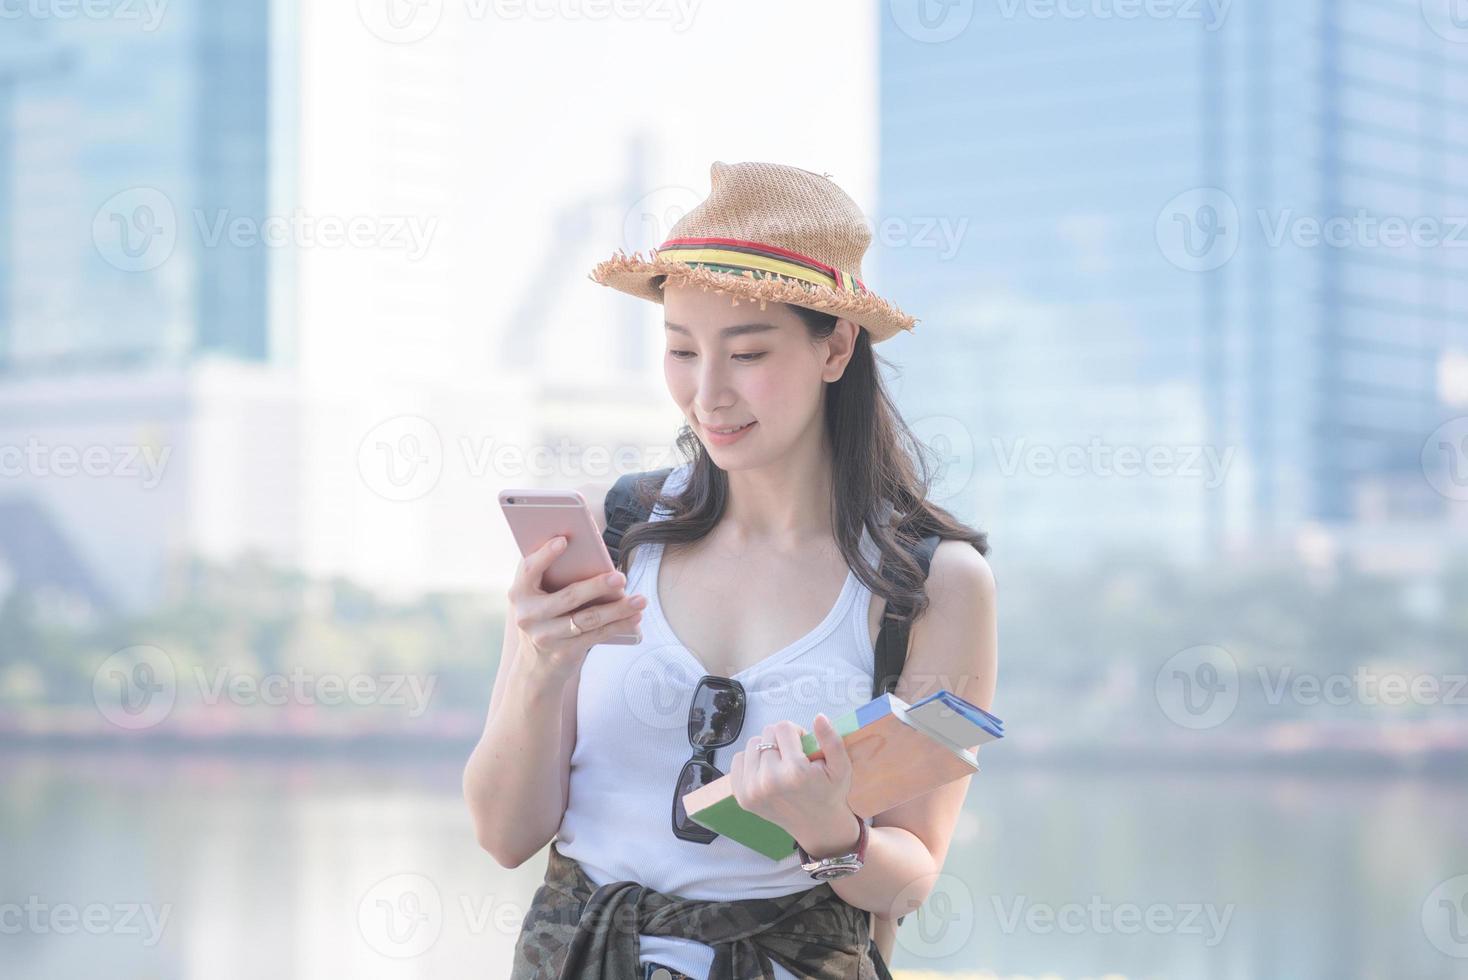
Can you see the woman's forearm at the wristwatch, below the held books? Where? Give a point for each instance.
(898, 866)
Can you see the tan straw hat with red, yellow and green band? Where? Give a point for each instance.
(767, 233)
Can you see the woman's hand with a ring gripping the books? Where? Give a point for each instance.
(805, 797)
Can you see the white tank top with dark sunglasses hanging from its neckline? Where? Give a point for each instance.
(632, 742)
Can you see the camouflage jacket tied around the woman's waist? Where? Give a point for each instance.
(576, 931)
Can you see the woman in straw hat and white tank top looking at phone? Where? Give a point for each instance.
(796, 488)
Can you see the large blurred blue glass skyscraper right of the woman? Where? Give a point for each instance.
(1174, 307)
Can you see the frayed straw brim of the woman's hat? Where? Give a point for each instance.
(633, 275)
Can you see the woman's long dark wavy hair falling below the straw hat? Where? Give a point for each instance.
(882, 478)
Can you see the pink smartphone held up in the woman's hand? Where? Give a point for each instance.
(539, 516)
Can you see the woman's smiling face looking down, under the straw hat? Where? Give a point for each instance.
(738, 365)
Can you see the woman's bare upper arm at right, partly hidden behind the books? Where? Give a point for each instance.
(953, 646)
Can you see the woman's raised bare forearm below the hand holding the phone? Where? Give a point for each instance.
(513, 781)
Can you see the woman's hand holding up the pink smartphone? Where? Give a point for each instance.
(545, 618)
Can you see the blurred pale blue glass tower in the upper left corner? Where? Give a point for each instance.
(134, 142)
